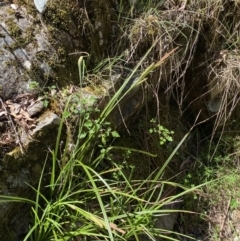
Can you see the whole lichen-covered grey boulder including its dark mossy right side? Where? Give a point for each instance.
(29, 55)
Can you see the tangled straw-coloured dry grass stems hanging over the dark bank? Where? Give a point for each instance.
(180, 24)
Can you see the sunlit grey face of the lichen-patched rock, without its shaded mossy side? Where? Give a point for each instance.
(19, 47)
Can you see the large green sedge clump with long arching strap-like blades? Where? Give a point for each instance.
(82, 203)
